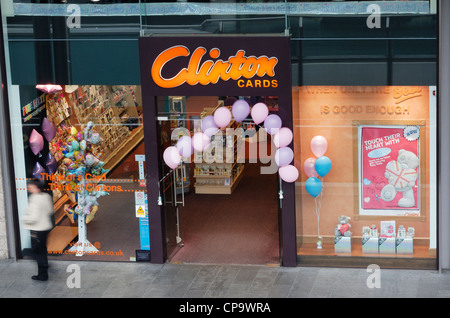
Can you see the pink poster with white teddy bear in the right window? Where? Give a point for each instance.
(390, 168)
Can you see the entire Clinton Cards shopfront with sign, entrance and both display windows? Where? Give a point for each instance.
(240, 165)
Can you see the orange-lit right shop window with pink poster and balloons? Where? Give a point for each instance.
(367, 156)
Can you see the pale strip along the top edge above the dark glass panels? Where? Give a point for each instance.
(152, 8)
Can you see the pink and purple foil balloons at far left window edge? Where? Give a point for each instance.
(36, 141)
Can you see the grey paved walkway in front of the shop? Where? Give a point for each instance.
(99, 279)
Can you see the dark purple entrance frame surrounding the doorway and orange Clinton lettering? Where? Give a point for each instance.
(150, 47)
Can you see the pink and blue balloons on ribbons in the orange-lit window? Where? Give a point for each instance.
(314, 168)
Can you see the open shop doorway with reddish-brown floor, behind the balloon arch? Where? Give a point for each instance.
(217, 213)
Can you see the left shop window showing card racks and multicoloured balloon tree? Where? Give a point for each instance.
(79, 149)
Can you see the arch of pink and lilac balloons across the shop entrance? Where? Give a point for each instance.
(221, 119)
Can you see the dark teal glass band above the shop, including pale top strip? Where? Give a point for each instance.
(104, 34)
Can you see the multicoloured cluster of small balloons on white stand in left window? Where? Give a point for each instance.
(80, 161)
